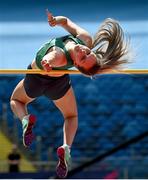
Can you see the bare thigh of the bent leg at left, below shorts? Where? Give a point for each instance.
(20, 94)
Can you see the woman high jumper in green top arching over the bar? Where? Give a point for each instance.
(101, 54)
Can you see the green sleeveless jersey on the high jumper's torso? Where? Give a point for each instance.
(59, 42)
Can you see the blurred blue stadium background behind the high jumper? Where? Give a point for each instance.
(112, 108)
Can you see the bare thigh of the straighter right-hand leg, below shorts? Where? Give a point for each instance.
(67, 104)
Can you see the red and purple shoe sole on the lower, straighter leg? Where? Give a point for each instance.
(62, 168)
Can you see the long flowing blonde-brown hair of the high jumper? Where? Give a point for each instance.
(110, 46)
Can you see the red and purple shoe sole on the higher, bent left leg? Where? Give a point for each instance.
(28, 135)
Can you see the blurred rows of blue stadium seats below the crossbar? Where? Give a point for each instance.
(112, 109)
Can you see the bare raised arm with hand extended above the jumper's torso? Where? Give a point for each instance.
(71, 27)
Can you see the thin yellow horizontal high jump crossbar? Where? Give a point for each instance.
(37, 71)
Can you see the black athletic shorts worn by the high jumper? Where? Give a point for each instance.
(52, 87)
